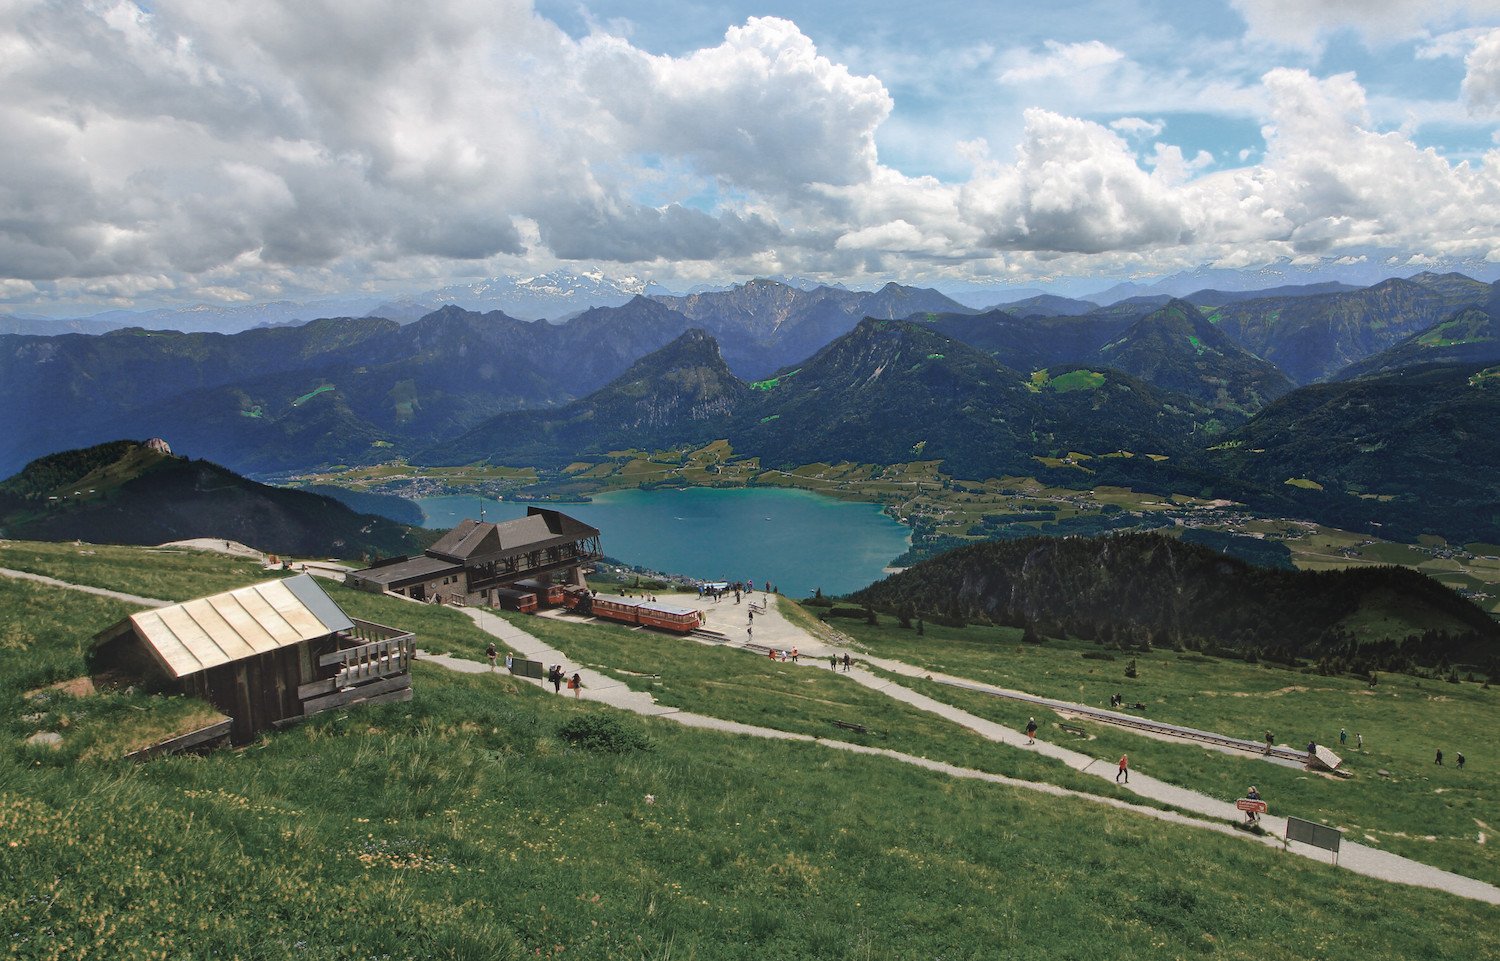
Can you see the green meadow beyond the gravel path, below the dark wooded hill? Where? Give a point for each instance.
(1417, 809)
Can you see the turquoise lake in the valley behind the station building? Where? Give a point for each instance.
(791, 539)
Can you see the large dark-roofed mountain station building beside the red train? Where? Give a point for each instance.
(479, 563)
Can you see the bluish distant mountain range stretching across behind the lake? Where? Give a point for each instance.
(800, 376)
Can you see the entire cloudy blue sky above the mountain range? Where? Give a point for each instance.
(176, 152)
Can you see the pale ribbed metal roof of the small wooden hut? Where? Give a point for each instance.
(238, 624)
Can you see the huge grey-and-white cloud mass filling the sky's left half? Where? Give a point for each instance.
(341, 136)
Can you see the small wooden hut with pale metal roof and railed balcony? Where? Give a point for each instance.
(266, 656)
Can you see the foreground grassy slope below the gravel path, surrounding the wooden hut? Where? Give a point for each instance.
(467, 825)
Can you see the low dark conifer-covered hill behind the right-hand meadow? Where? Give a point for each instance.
(1151, 588)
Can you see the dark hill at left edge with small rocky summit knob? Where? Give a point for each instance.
(127, 494)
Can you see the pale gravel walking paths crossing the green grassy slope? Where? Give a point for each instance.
(776, 632)
